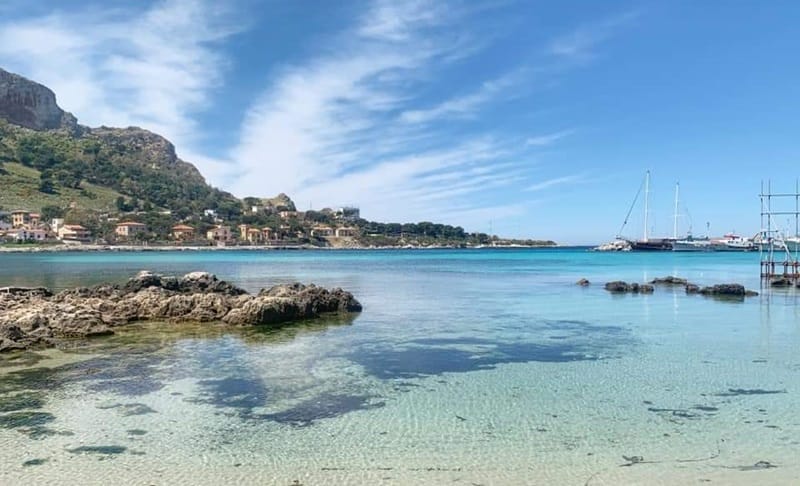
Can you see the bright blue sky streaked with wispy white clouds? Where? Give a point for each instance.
(520, 117)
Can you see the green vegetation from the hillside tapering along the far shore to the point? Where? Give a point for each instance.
(98, 177)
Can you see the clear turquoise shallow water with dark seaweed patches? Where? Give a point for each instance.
(484, 367)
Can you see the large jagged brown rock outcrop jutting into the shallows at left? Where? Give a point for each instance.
(36, 317)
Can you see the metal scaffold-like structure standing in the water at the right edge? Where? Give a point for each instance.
(779, 251)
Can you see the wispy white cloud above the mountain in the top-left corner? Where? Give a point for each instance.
(154, 68)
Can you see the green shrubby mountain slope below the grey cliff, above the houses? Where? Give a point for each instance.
(136, 164)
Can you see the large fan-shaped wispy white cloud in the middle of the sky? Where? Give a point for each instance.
(327, 130)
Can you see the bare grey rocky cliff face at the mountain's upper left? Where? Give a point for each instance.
(31, 105)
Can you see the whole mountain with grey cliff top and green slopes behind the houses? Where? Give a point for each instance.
(139, 165)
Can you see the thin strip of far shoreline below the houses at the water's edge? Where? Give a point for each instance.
(142, 248)
